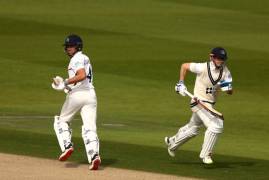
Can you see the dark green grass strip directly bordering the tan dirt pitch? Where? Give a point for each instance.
(137, 157)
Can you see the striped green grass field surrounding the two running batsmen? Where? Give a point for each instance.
(136, 48)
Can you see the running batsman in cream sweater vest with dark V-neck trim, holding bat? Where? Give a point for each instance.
(211, 77)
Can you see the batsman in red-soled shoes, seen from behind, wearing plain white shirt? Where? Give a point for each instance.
(80, 97)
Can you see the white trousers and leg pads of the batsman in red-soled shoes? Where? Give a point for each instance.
(85, 102)
